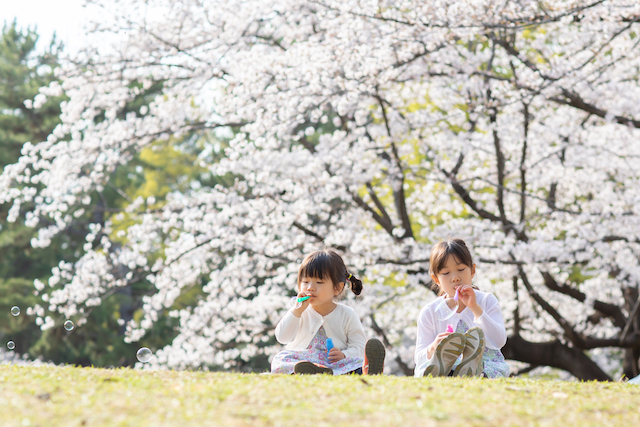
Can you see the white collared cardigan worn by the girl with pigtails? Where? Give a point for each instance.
(342, 325)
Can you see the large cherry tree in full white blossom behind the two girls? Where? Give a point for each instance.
(376, 127)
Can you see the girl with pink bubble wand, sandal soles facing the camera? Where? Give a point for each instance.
(469, 342)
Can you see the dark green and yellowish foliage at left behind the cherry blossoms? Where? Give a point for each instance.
(158, 170)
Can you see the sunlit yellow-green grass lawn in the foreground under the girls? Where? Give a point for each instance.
(64, 396)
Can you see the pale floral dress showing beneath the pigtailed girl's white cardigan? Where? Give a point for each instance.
(284, 361)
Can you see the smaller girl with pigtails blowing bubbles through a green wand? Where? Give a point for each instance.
(306, 327)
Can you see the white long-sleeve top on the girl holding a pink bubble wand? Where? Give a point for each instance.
(491, 323)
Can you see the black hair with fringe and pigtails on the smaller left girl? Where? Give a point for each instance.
(325, 264)
